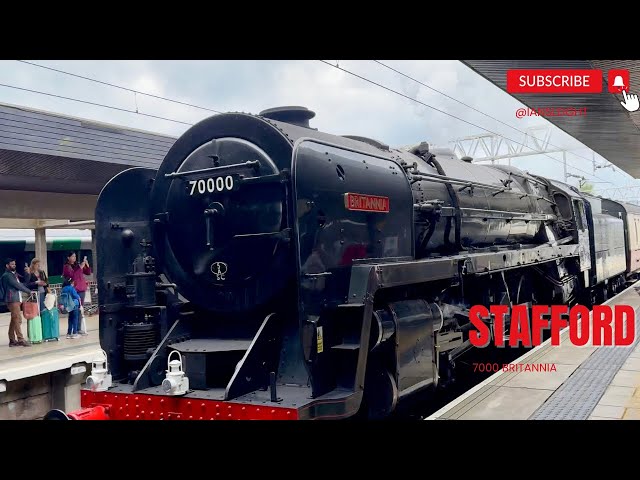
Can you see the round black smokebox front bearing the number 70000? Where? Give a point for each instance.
(219, 204)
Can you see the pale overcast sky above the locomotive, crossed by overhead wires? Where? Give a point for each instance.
(344, 104)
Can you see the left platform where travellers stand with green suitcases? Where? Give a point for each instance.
(35, 379)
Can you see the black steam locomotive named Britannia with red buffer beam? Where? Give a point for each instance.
(268, 270)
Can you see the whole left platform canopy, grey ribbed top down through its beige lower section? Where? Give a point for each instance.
(53, 166)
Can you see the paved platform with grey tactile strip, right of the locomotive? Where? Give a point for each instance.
(587, 383)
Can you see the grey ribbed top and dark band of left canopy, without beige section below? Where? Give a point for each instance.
(48, 152)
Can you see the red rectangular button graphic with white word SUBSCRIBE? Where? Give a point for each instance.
(554, 81)
